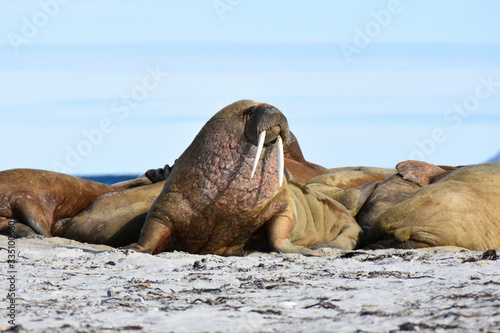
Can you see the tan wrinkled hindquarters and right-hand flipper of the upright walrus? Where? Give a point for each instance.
(316, 221)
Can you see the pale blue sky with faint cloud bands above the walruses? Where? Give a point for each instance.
(121, 87)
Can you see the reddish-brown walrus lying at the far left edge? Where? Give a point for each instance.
(35, 199)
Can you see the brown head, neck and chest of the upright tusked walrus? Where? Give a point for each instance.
(225, 186)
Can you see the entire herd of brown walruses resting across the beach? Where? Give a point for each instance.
(244, 185)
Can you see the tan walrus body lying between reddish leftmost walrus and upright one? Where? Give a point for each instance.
(114, 219)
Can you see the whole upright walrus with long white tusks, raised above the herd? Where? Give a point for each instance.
(229, 184)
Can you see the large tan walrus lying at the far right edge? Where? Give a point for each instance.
(460, 209)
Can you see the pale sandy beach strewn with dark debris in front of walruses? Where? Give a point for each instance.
(66, 286)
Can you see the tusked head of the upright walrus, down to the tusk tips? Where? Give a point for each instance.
(239, 134)
